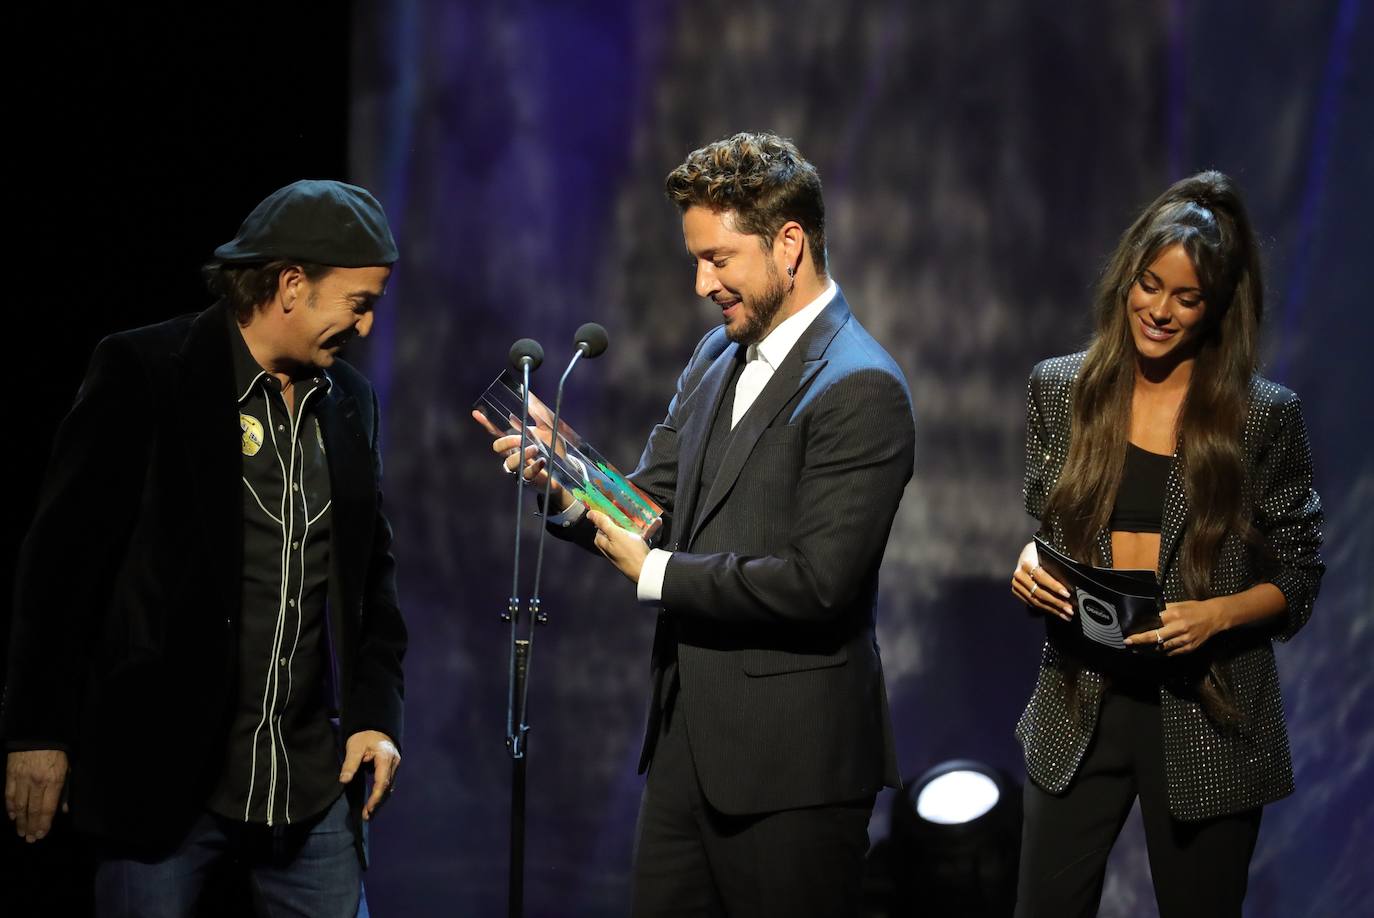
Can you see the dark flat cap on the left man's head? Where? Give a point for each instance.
(317, 221)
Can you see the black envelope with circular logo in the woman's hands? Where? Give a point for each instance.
(1112, 604)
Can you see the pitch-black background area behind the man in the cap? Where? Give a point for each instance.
(139, 137)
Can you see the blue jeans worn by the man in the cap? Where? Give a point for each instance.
(311, 871)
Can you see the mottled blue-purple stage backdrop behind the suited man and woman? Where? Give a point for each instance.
(980, 161)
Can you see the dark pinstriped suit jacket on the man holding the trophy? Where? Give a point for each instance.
(769, 600)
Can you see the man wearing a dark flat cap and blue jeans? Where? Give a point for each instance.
(207, 649)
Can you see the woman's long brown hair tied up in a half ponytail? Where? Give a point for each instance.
(1203, 214)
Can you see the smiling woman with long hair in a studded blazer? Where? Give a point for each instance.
(1162, 449)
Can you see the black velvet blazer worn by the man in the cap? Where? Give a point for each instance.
(128, 589)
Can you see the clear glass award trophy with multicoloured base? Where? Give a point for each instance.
(576, 465)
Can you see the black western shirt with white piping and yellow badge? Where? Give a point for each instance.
(282, 757)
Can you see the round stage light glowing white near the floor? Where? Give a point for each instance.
(956, 843)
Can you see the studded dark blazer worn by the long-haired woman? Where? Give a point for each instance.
(1210, 770)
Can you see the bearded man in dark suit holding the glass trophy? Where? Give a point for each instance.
(780, 469)
